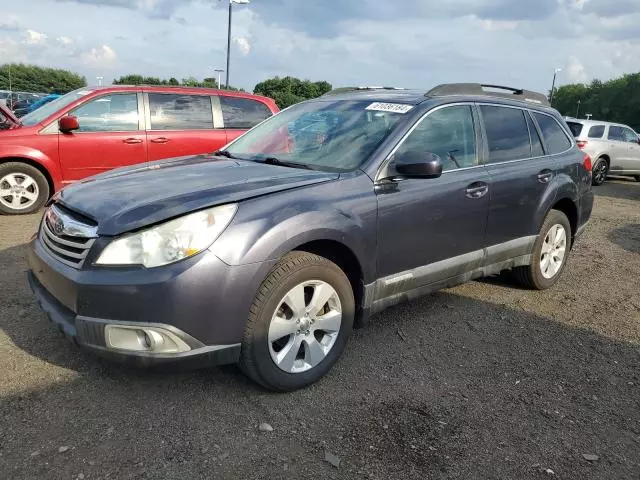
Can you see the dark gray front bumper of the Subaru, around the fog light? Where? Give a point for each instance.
(201, 300)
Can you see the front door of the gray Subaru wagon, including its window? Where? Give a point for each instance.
(425, 221)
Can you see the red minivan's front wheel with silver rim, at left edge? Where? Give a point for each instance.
(23, 189)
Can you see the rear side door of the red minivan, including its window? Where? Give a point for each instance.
(181, 125)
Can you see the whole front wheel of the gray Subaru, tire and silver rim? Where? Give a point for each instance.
(298, 324)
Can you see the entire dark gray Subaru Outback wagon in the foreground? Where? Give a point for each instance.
(268, 252)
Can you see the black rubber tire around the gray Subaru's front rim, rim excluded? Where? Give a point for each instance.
(291, 270)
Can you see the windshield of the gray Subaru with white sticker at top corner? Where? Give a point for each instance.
(322, 135)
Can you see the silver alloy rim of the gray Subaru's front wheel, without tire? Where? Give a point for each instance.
(305, 326)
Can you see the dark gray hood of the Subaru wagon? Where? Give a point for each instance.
(134, 197)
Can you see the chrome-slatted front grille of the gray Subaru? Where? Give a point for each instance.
(71, 250)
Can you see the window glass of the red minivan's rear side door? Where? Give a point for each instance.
(180, 112)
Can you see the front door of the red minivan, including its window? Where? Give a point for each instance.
(110, 136)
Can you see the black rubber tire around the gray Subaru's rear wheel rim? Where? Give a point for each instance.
(531, 275)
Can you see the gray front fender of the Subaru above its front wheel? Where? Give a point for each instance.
(267, 228)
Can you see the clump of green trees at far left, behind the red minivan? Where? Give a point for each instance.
(31, 78)
